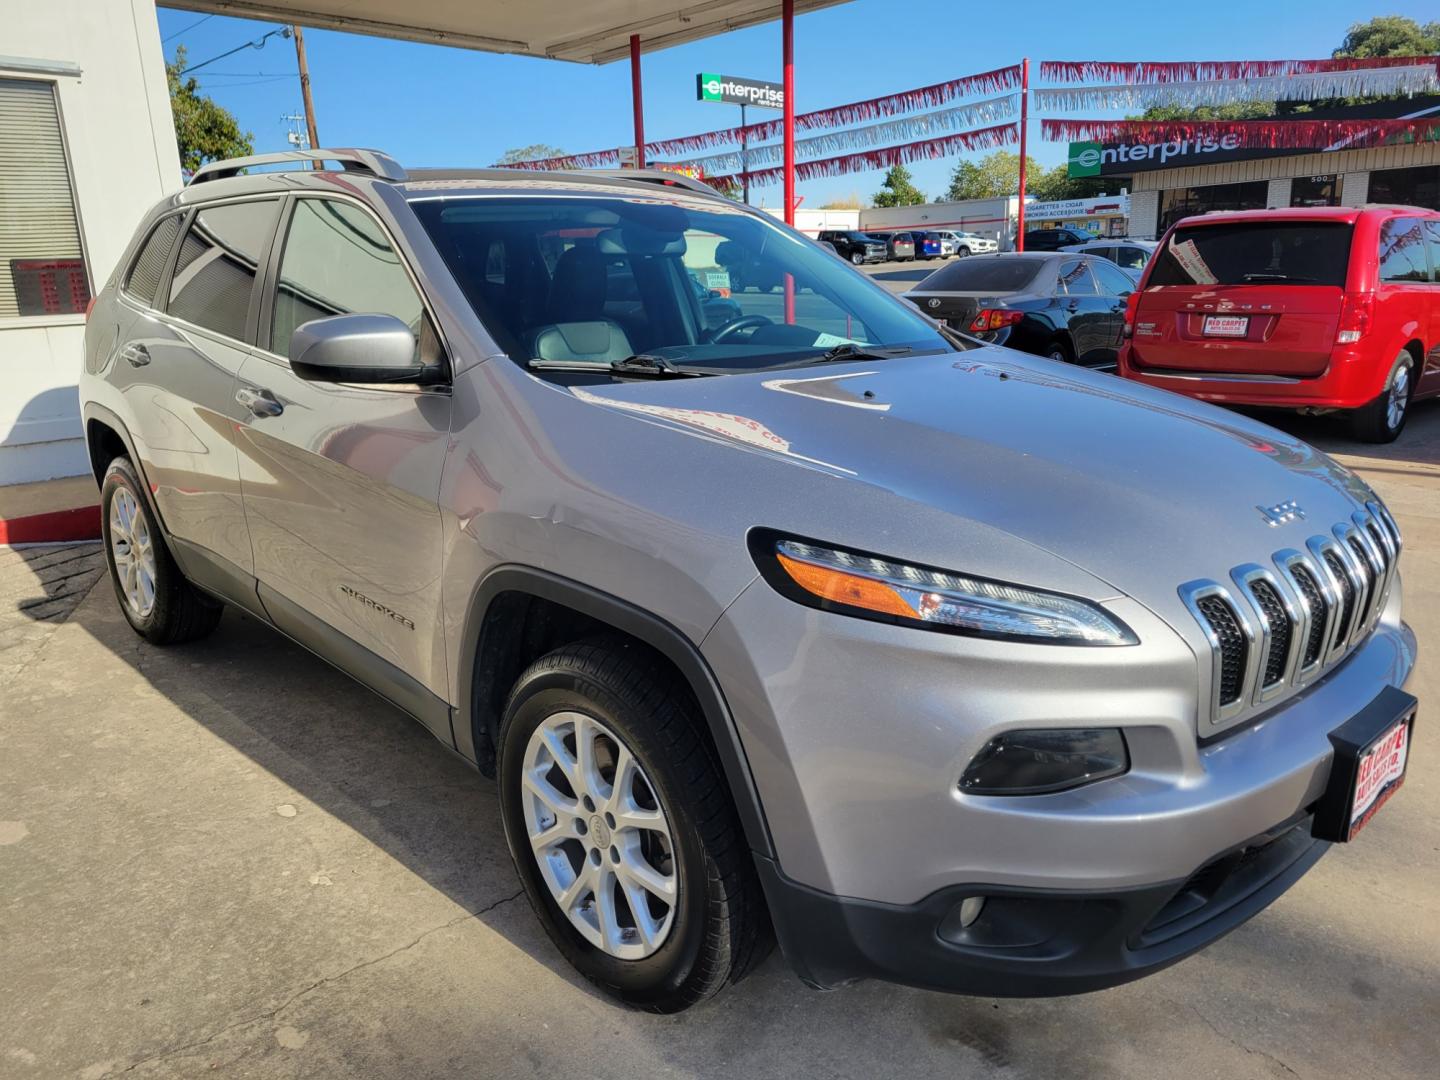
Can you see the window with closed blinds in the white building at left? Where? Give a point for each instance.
(42, 264)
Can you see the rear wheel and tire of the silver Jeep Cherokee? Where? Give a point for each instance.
(158, 601)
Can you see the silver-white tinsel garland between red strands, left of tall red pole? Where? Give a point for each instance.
(840, 116)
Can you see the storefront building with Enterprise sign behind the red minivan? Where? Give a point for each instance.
(1173, 181)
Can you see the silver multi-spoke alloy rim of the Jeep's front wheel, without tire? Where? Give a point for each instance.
(600, 836)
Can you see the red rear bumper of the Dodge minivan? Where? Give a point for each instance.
(1353, 379)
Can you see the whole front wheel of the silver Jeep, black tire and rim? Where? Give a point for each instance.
(621, 827)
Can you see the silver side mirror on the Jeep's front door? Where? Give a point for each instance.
(358, 349)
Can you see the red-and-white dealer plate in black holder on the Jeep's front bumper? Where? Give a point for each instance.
(1372, 754)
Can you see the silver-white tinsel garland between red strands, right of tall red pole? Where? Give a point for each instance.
(1372, 83)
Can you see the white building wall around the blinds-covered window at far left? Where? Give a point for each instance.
(120, 139)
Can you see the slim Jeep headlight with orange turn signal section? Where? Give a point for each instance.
(873, 588)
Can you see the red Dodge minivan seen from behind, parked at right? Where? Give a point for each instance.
(1313, 309)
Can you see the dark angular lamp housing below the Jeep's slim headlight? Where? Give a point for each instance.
(1046, 761)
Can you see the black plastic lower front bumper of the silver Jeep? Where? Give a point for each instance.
(1033, 942)
